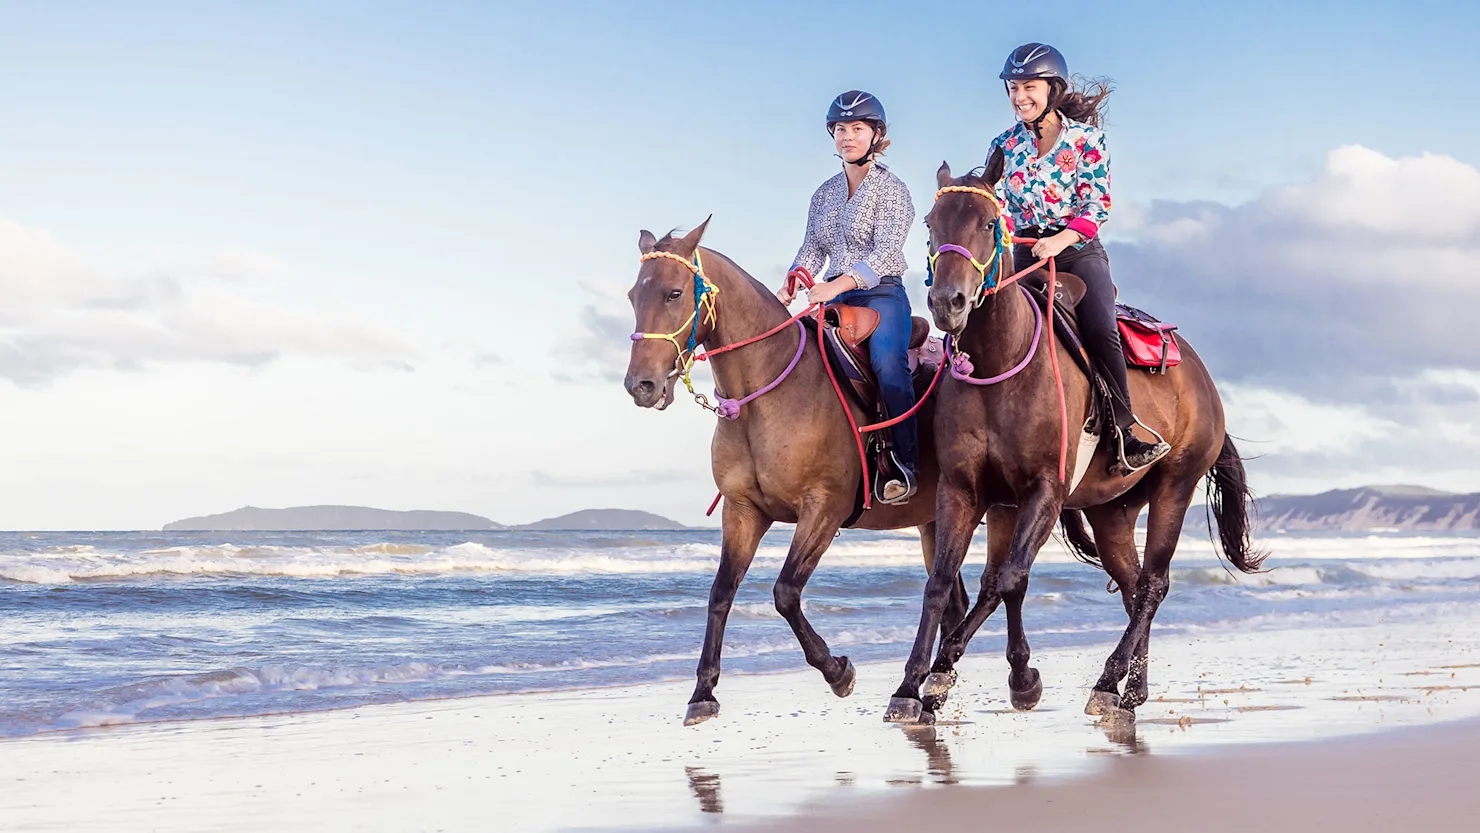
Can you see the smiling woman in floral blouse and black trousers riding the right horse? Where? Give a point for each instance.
(1057, 189)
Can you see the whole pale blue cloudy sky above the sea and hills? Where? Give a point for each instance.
(377, 254)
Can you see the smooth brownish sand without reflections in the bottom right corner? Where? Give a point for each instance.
(1416, 779)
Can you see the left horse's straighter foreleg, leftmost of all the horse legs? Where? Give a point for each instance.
(742, 529)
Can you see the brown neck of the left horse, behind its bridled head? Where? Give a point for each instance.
(745, 310)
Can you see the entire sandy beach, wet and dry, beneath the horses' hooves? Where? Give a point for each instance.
(785, 752)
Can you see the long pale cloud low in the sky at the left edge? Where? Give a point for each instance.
(58, 314)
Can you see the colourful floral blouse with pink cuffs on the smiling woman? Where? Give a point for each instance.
(1068, 187)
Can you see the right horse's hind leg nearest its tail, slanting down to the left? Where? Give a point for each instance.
(1130, 659)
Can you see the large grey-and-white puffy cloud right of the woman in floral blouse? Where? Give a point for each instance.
(1364, 274)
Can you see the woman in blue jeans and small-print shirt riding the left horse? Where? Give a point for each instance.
(858, 224)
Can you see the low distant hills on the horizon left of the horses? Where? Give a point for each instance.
(346, 519)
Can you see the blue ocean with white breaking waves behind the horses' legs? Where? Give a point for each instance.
(125, 628)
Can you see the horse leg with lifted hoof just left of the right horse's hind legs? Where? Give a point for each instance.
(1038, 513)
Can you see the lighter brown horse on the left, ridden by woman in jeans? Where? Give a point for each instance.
(790, 455)
